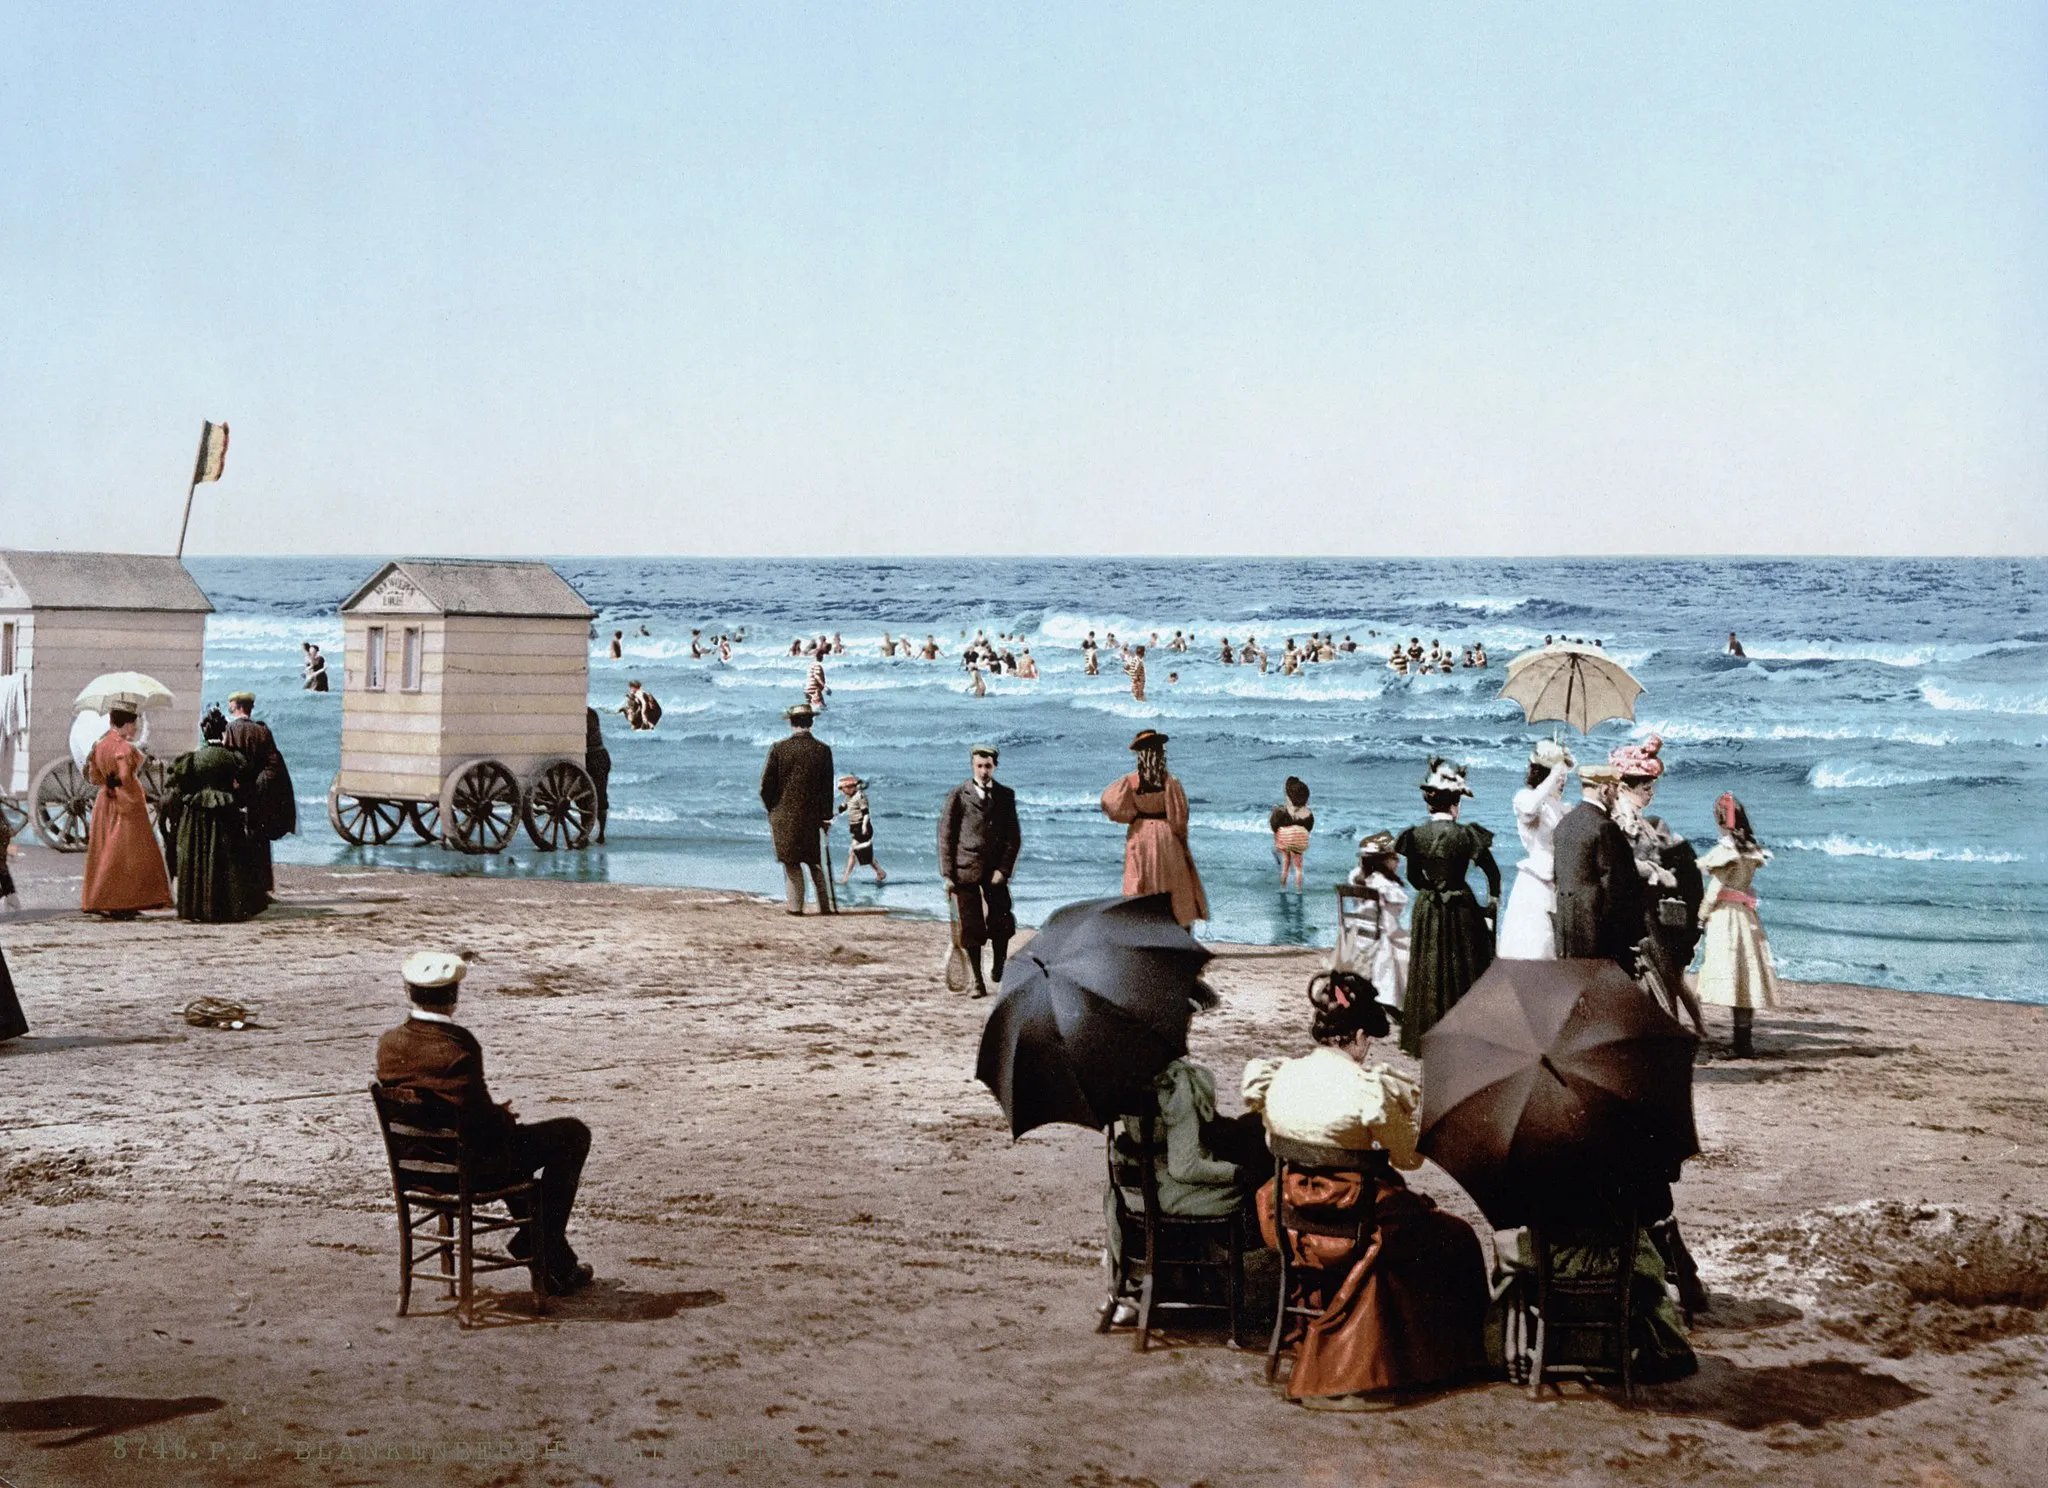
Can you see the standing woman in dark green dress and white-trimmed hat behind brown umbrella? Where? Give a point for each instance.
(1451, 938)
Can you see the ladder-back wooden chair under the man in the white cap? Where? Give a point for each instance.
(435, 1182)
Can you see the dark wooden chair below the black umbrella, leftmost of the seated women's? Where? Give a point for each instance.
(1154, 1243)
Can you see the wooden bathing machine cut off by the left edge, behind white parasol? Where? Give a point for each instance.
(65, 621)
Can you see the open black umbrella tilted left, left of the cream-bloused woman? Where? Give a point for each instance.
(1093, 1010)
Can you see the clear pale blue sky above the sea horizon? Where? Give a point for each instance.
(923, 279)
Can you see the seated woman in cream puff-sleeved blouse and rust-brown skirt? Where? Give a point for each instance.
(1404, 1311)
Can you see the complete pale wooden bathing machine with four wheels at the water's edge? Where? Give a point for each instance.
(464, 701)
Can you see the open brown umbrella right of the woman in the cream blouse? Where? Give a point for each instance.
(1555, 1076)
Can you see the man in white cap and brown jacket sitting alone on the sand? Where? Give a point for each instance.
(433, 1055)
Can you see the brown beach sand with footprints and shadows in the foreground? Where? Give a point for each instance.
(822, 1258)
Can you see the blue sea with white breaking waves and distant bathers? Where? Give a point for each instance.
(1887, 728)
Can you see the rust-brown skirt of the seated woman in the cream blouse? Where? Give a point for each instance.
(1404, 1313)
